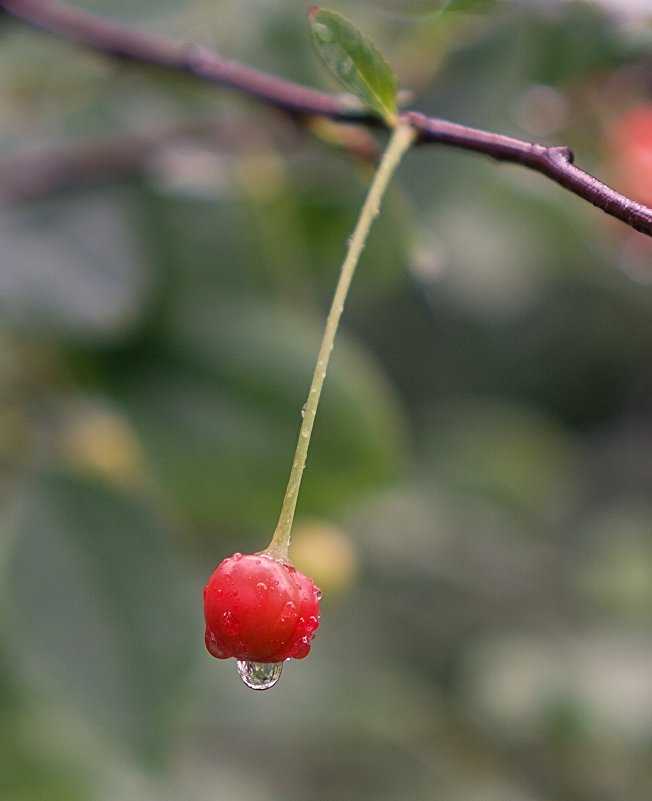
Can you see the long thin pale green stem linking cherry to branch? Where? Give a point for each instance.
(402, 137)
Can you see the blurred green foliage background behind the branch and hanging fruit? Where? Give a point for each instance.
(478, 500)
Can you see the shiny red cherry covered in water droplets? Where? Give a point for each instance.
(259, 609)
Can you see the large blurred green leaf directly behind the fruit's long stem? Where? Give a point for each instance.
(219, 421)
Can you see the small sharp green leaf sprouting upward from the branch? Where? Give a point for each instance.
(355, 62)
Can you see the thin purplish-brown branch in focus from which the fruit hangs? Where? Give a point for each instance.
(120, 41)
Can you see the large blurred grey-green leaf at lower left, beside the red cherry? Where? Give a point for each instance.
(98, 613)
